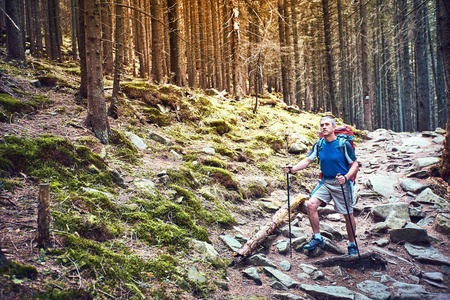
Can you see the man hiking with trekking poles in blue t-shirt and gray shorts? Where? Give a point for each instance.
(337, 170)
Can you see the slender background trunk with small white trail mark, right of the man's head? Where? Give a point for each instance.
(367, 102)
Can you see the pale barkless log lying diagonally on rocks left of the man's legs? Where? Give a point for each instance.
(269, 228)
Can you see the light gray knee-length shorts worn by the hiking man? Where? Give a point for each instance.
(331, 189)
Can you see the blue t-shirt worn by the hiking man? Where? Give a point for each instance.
(332, 162)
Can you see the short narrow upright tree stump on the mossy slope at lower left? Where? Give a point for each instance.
(43, 235)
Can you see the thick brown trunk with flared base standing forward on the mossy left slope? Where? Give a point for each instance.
(96, 118)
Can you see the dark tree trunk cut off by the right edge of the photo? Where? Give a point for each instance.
(443, 13)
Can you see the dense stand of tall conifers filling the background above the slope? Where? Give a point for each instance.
(376, 64)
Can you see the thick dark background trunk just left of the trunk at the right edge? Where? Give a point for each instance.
(421, 58)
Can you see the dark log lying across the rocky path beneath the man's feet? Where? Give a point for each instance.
(370, 260)
